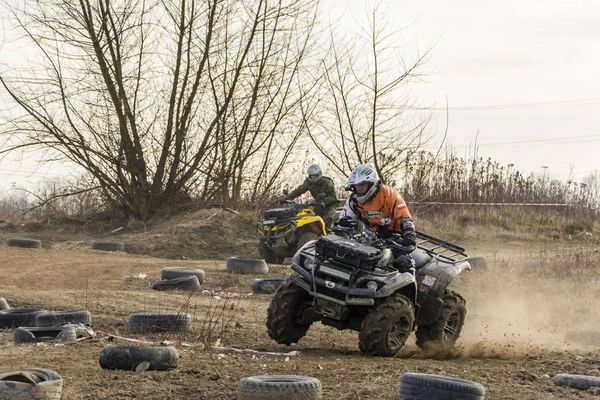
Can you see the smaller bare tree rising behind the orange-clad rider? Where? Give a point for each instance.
(366, 114)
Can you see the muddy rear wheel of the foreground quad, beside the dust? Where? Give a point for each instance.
(445, 331)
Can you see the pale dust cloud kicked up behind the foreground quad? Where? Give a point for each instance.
(531, 299)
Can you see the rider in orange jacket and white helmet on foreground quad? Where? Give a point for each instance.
(377, 205)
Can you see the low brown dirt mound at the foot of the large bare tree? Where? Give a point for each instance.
(210, 233)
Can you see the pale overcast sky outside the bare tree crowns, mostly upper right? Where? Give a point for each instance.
(521, 77)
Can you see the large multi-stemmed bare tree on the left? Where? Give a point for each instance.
(161, 99)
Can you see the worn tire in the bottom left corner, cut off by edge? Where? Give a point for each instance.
(30, 383)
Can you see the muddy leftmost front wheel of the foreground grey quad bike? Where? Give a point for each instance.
(284, 315)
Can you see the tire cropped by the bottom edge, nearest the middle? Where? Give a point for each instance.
(277, 387)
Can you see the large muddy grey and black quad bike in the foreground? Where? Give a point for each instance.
(349, 280)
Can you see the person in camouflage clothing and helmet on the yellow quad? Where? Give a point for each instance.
(322, 189)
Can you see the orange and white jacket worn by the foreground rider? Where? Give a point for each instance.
(385, 213)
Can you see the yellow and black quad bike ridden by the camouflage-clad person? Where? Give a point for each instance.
(285, 230)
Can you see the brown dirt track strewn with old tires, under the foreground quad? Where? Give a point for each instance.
(513, 342)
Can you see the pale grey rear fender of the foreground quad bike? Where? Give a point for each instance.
(434, 278)
